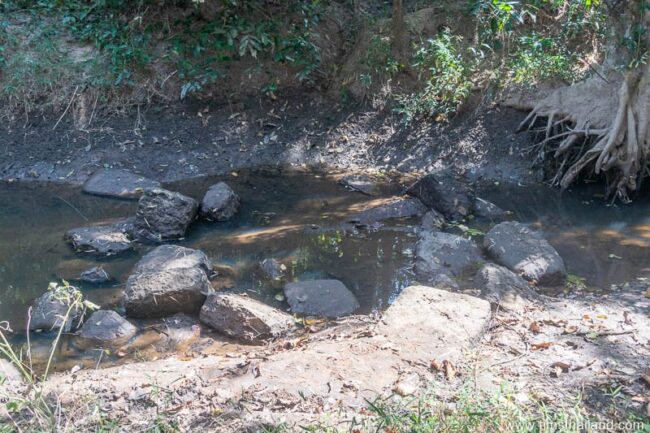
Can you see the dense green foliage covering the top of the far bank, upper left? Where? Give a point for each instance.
(135, 40)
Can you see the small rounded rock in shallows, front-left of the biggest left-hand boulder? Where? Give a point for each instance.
(107, 328)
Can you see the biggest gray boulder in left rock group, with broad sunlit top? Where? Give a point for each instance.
(168, 280)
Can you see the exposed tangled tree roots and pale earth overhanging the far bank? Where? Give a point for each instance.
(590, 125)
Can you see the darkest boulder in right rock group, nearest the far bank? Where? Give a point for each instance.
(444, 193)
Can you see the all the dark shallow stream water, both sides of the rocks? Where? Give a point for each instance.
(298, 218)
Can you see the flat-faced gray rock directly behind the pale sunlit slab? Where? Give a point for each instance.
(444, 253)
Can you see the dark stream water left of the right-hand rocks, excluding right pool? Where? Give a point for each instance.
(297, 218)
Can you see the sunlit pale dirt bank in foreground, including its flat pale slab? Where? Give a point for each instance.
(552, 351)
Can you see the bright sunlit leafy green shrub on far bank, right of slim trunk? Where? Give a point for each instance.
(446, 77)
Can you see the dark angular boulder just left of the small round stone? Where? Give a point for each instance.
(163, 215)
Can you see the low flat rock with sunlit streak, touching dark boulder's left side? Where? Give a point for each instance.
(102, 240)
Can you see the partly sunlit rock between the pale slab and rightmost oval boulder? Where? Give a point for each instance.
(504, 288)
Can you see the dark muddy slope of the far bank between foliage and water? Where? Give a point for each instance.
(197, 138)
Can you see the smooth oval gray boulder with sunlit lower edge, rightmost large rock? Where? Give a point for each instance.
(525, 252)
